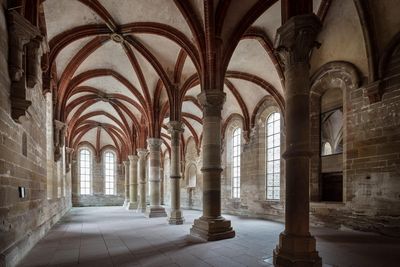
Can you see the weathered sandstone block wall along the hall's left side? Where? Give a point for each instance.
(24, 221)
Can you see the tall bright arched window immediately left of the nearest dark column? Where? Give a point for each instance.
(273, 137)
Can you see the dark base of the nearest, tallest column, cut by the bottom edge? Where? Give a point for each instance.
(296, 251)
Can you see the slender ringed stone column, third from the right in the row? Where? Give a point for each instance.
(175, 129)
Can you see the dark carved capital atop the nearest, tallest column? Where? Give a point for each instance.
(296, 38)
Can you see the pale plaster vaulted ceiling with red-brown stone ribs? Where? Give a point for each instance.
(116, 64)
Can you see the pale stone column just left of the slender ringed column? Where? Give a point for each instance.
(155, 209)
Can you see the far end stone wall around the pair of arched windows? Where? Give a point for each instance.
(98, 198)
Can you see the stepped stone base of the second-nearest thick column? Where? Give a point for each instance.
(212, 229)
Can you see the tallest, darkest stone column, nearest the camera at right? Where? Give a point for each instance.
(295, 40)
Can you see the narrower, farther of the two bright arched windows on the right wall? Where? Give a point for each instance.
(236, 143)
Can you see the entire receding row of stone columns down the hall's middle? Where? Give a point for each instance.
(294, 43)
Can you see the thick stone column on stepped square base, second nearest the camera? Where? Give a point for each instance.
(212, 226)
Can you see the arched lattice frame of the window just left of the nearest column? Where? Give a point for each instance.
(273, 166)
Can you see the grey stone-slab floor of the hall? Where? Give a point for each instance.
(112, 236)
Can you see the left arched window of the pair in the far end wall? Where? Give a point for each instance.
(85, 171)
